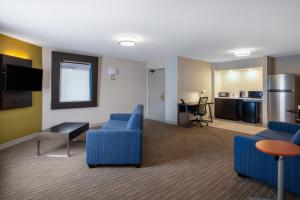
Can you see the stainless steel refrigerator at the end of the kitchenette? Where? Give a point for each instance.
(283, 95)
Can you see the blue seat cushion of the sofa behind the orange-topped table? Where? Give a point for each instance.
(275, 135)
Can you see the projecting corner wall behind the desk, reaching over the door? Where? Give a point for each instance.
(178, 72)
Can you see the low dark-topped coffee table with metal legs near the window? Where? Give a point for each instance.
(65, 131)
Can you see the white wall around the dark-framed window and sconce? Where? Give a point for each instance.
(119, 95)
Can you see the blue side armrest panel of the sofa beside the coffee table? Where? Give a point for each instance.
(114, 147)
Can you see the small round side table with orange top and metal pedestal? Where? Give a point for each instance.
(278, 149)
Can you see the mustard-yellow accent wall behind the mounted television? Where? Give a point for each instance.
(16, 123)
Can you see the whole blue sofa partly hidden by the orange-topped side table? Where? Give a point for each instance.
(249, 162)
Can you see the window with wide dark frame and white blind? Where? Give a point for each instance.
(74, 81)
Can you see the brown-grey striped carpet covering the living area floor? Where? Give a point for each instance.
(178, 163)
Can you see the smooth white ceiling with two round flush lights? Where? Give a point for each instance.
(201, 29)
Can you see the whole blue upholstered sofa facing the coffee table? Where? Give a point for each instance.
(118, 142)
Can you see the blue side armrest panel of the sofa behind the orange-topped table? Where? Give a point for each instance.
(253, 163)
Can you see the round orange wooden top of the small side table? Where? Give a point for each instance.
(278, 148)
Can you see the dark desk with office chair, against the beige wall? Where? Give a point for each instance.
(191, 106)
